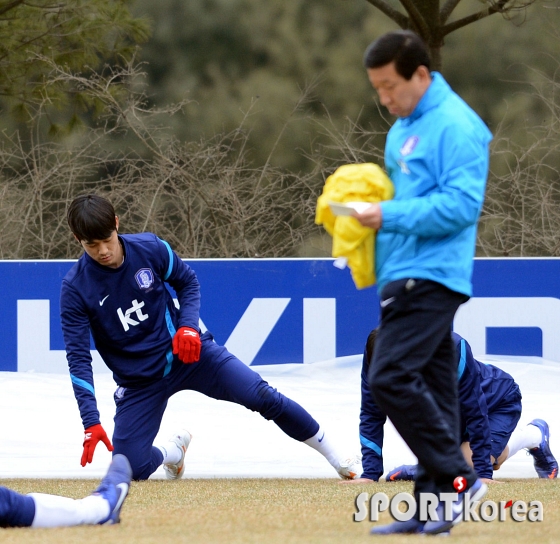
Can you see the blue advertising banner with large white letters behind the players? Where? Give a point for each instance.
(272, 311)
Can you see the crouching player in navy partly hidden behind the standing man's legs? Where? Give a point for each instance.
(490, 408)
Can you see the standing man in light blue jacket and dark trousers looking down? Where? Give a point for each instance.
(436, 155)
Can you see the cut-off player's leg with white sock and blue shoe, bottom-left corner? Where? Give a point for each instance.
(41, 510)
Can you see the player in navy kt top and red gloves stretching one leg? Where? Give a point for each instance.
(117, 292)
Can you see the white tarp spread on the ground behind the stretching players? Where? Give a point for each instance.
(41, 432)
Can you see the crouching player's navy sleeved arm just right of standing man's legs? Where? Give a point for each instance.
(474, 411)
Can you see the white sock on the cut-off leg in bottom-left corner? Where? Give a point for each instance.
(56, 511)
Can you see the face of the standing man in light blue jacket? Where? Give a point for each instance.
(396, 93)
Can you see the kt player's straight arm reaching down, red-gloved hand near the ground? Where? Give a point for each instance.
(76, 332)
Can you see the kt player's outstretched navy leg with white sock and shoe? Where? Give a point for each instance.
(221, 375)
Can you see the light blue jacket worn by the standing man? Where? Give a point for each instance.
(437, 158)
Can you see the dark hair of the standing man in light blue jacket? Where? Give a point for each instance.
(403, 47)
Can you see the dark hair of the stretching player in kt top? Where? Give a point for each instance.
(91, 217)
